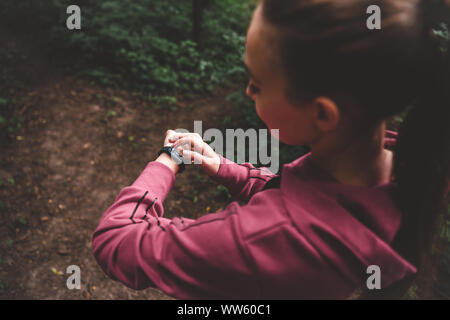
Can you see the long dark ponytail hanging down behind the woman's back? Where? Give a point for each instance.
(422, 154)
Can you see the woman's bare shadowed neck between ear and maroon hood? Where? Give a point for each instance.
(359, 160)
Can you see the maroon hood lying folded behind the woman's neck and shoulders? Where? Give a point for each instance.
(351, 226)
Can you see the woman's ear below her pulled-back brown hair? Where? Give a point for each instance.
(327, 114)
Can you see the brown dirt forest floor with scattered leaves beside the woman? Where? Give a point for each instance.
(79, 145)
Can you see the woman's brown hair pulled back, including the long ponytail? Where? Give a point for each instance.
(325, 48)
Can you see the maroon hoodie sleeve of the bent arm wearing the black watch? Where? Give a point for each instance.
(188, 259)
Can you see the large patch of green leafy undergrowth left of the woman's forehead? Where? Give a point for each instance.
(146, 45)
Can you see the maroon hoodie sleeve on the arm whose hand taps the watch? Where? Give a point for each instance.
(242, 180)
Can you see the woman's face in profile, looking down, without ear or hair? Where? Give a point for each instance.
(267, 87)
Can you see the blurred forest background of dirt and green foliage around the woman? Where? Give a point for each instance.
(82, 112)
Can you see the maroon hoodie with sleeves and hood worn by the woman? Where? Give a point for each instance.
(302, 235)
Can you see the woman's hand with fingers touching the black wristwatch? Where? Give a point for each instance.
(194, 150)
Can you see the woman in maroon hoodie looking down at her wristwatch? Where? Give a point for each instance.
(323, 79)
